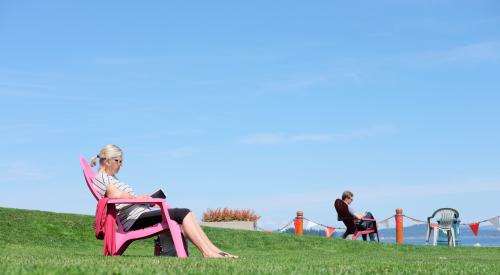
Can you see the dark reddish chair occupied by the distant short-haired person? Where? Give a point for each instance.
(350, 222)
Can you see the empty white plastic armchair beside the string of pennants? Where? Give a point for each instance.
(445, 217)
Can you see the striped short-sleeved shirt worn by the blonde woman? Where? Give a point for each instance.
(127, 213)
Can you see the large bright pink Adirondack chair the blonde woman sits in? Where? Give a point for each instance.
(124, 238)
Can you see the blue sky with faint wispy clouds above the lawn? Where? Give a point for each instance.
(275, 106)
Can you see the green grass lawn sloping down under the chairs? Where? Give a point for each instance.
(39, 242)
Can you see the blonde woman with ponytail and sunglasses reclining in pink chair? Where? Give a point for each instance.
(138, 216)
